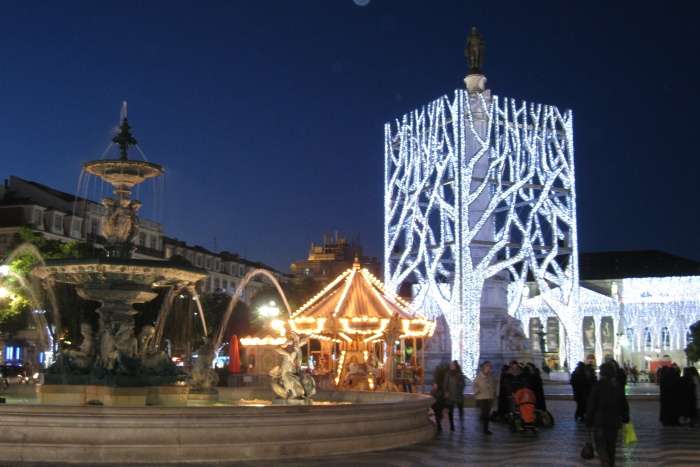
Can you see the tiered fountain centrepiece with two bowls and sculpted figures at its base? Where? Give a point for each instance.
(117, 358)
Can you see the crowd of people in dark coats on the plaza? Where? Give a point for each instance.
(600, 396)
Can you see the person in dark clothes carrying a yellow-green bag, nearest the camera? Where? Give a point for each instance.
(606, 411)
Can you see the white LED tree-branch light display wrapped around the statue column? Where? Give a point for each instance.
(474, 186)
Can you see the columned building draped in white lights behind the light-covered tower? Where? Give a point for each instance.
(634, 306)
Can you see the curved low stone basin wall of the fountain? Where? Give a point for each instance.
(216, 434)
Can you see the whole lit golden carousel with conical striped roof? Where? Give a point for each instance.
(360, 337)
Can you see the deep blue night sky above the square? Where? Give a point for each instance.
(269, 115)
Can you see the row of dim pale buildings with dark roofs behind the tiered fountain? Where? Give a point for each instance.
(61, 216)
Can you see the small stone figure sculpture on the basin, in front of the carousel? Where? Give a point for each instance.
(289, 381)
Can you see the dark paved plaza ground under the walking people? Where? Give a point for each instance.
(559, 446)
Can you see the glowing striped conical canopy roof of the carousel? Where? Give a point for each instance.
(355, 298)
